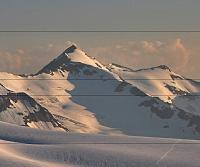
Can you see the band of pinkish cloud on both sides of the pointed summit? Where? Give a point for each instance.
(134, 54)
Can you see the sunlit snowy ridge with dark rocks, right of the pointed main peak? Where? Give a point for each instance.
(159, 81)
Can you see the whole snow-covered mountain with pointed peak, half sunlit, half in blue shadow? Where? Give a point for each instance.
(77, 93)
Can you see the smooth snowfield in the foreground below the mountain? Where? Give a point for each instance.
(20, 146)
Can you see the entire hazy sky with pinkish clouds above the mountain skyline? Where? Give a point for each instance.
(129, 49)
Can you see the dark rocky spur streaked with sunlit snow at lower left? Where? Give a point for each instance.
(21, 109)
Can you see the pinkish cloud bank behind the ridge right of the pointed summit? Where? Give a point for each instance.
(140, 54)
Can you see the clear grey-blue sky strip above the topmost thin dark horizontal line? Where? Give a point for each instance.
(94, 14)
